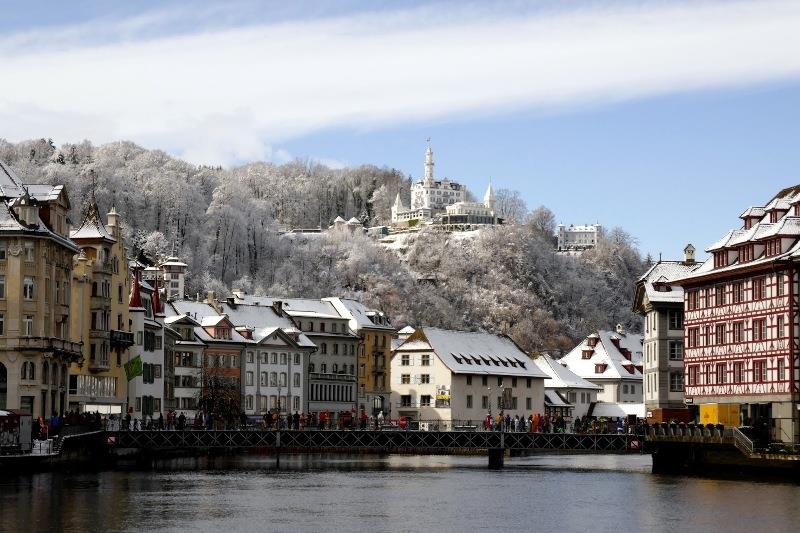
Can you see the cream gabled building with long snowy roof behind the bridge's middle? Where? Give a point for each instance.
(461, 376)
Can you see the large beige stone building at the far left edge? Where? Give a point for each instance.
(35, 266)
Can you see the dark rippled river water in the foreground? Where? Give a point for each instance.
(395, 493)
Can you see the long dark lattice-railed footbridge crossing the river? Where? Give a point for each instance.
(494, 444)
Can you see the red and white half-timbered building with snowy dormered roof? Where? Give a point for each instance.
(741, 319)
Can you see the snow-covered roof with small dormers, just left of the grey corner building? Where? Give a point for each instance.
(604, 352)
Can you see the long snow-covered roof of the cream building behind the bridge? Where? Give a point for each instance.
(465, 352)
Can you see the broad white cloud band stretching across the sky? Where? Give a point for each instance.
(230, 94)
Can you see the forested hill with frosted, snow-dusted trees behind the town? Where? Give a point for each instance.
(227, 225)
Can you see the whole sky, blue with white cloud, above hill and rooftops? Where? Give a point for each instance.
(666, 118)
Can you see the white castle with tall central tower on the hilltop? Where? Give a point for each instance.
(445, 201)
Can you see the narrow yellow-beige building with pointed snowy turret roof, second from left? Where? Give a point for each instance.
(99, 298)
